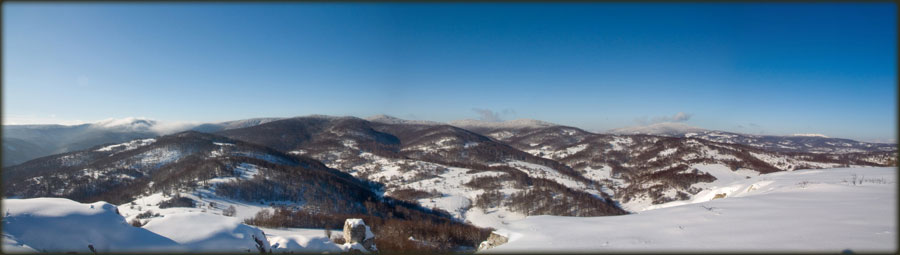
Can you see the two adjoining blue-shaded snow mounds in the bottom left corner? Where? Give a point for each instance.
(62, 225)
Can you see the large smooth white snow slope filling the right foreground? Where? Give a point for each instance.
(806, 210)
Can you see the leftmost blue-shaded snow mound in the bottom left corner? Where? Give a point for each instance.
(62, 225)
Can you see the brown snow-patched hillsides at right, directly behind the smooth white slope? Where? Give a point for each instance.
(646, 170)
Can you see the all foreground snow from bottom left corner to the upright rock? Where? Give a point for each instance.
(63, 225)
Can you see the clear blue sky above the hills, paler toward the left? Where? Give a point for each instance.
(753, 68)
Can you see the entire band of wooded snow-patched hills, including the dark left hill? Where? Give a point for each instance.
(485, 175)
